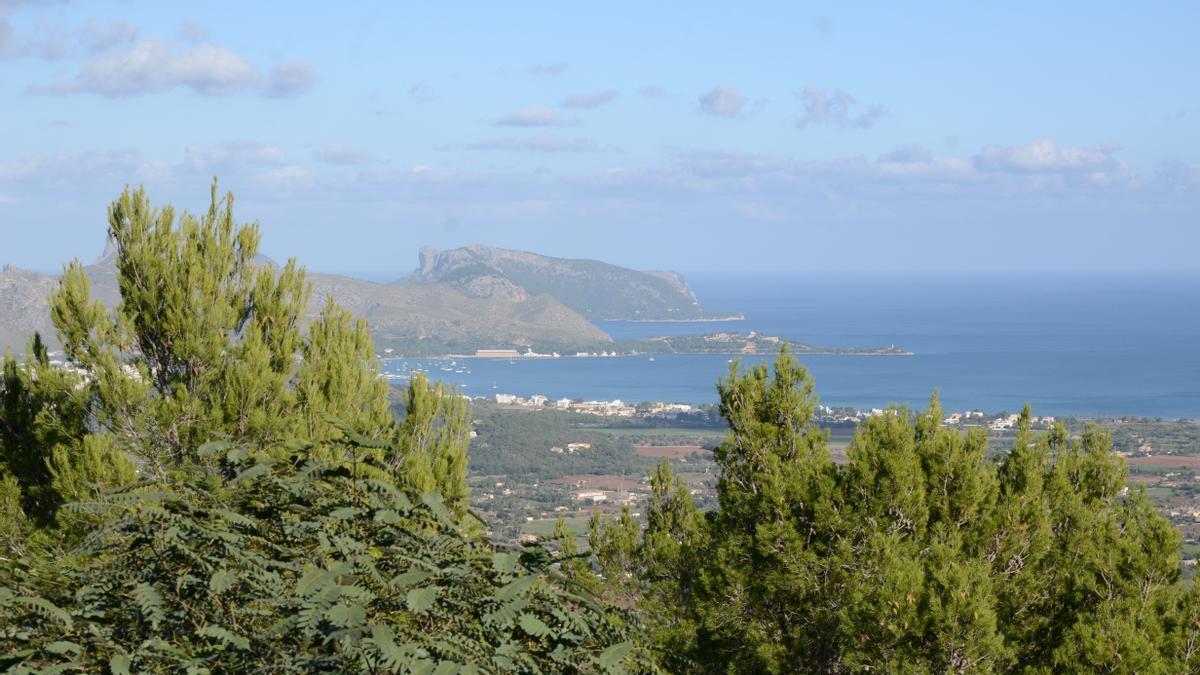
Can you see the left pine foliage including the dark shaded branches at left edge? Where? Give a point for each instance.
(206, 341)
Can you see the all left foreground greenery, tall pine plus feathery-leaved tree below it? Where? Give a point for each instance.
(208, 488)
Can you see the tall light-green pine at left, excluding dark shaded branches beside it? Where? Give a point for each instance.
(206, 339)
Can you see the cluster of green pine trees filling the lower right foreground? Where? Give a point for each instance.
(921, 554)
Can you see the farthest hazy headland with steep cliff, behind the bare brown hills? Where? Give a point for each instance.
(596, 290)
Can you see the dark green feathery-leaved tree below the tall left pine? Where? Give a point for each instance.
(302, 559)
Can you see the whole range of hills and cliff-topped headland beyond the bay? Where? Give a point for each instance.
(458, 302)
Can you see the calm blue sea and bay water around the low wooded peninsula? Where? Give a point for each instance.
(1069, 344)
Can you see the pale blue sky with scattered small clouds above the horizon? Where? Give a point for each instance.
(691, 136)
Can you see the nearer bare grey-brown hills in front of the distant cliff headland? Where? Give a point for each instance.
(430, 319)
